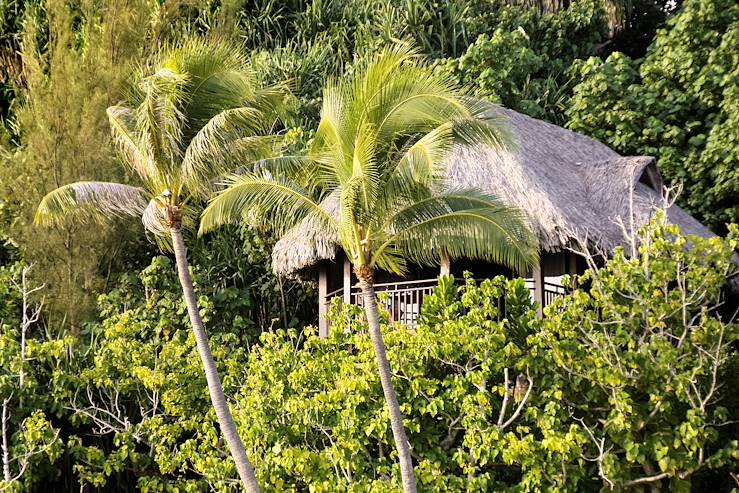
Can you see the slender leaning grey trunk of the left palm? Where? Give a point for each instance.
(225, 420)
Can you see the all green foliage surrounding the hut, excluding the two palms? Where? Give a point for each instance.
(113, 394)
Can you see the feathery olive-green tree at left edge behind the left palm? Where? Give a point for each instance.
(63, 136)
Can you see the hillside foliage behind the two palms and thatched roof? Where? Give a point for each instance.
(61, 55)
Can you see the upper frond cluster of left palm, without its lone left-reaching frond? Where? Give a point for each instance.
(199, 113)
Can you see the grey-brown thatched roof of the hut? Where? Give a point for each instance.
(571, 186)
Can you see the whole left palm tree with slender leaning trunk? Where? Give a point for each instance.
(194, 111)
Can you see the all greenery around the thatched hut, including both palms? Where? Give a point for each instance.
(627, 384)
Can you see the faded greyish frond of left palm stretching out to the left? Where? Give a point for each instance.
(90, 199)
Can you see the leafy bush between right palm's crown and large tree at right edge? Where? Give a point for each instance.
(523, 62)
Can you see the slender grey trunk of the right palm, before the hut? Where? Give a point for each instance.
(396, 418)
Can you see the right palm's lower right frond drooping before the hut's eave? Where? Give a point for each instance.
(462, 223)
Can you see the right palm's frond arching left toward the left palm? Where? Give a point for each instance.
(261, 198)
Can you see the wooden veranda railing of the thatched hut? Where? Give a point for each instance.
(403, 300)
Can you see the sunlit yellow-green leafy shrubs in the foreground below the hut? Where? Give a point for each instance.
(631, 381)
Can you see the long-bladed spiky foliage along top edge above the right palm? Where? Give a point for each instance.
(439, 28)
